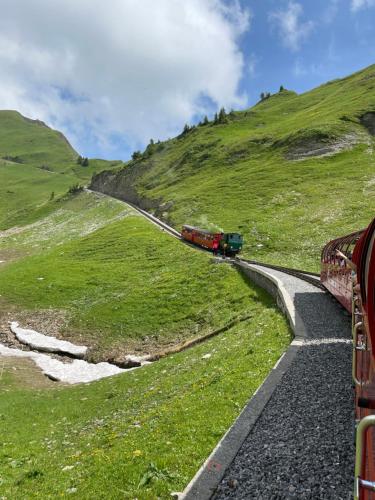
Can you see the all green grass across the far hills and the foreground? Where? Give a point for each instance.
(125, 285)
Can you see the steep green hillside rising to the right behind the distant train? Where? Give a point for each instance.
(289, 173)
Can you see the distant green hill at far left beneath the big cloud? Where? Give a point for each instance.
(34, 162)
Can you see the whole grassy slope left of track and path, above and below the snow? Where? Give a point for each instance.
(142, 434)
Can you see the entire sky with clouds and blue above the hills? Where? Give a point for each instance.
(112, 75)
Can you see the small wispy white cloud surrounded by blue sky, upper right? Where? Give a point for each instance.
(291, 29)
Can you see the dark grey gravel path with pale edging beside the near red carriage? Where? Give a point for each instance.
(302, 446)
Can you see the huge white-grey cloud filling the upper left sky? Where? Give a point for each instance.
(105, 71)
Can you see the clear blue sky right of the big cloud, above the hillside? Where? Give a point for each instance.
(338, 42)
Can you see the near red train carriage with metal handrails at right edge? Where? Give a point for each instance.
(348, 272)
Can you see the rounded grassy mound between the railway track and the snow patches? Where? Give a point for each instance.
(126, 285)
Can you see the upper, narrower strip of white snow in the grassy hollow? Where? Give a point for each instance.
(46, 343)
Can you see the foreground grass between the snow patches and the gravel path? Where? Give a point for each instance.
(142, 434)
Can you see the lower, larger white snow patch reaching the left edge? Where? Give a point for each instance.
(76, 372)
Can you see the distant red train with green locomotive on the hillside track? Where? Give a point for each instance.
(227, 244)
